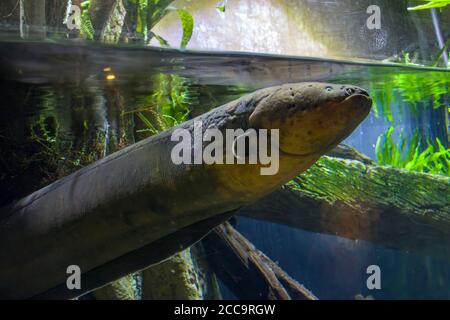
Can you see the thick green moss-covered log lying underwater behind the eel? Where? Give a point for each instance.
(388, 206)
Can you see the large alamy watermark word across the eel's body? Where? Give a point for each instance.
(241, 147)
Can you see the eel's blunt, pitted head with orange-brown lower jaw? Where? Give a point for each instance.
(312, 118)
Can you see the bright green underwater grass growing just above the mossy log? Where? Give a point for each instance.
(435, 158)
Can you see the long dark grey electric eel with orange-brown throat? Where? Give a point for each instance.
(137, 207)
